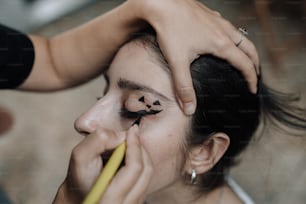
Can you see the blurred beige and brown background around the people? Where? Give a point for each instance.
(39, 136)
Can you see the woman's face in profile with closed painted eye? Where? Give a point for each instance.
(137, 81)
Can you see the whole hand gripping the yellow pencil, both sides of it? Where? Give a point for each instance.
(129, 184)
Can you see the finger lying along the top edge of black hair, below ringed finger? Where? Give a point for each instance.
(242, 62)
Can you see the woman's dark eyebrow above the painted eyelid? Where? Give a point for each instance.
(130, 85)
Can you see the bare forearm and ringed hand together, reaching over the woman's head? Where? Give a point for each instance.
(78, 55)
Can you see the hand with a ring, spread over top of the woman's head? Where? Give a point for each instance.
(187, 29)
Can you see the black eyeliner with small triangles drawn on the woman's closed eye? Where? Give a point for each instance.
(139, 114)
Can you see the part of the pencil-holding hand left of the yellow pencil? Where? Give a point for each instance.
(85, 165)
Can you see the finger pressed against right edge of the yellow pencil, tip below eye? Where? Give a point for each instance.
(127, 176)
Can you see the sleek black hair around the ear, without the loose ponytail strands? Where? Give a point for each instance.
(224, 105)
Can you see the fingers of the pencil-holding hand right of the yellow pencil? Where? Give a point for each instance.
(130, 184)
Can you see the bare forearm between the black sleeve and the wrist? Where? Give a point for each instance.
(78, 55)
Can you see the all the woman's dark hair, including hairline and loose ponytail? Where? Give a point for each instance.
(225, 104)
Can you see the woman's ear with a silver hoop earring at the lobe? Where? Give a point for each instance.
(203, 157)
